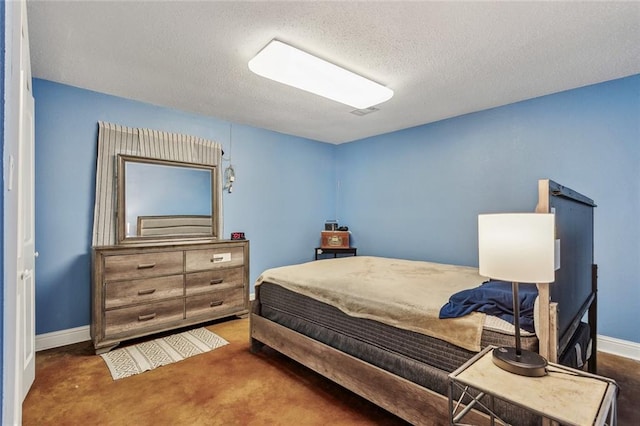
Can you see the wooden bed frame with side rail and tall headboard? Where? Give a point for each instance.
(575, 291)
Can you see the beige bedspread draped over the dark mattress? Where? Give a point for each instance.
(403, 293)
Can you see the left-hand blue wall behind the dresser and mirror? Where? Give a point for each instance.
(283, 193)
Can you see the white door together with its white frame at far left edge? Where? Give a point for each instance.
(19, 255)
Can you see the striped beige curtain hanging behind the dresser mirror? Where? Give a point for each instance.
(114, 139)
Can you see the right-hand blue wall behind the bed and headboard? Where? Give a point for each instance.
(417, 193)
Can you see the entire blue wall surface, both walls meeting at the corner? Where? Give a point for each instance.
(413, 193)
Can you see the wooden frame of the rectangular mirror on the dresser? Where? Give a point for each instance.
(121, 221)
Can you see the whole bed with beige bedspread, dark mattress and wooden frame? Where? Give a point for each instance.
(399, 360)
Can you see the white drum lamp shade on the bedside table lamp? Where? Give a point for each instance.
(517, 247)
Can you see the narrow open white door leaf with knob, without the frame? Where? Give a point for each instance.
(25, 293)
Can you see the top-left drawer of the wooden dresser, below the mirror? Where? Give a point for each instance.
(129, 266)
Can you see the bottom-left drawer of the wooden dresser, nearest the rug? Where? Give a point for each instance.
(143, 316)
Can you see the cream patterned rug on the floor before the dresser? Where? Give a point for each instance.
(135, 359)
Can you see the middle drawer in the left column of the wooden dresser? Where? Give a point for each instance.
(122, 293)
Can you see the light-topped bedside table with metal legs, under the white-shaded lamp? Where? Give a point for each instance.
(564, 395)
